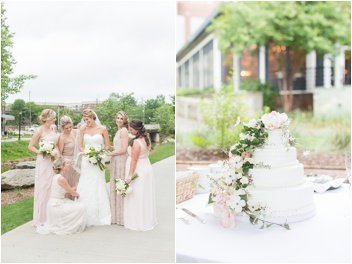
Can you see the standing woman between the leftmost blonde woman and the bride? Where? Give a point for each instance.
(66, 145)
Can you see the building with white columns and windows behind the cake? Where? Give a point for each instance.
(200, 64)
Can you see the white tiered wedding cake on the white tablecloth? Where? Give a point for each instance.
(282, 188)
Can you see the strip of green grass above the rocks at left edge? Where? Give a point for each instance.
(15, 150)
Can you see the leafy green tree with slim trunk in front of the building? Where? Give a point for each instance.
(299, 26)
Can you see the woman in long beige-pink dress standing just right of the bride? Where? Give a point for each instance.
(118, 163)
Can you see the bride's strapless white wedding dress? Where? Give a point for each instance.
(92, 187)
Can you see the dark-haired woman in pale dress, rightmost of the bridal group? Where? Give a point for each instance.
(139, 206)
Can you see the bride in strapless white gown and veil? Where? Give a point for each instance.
(91, 186)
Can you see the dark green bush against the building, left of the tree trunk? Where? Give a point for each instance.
(269, 91)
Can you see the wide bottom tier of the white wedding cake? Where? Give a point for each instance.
(290, 204)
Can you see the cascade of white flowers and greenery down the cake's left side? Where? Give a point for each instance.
(230, 191)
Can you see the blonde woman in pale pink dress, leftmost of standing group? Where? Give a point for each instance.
(43, 165)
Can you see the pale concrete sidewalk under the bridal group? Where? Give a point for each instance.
(107, 243)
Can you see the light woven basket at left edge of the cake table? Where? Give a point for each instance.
(186, 186)
